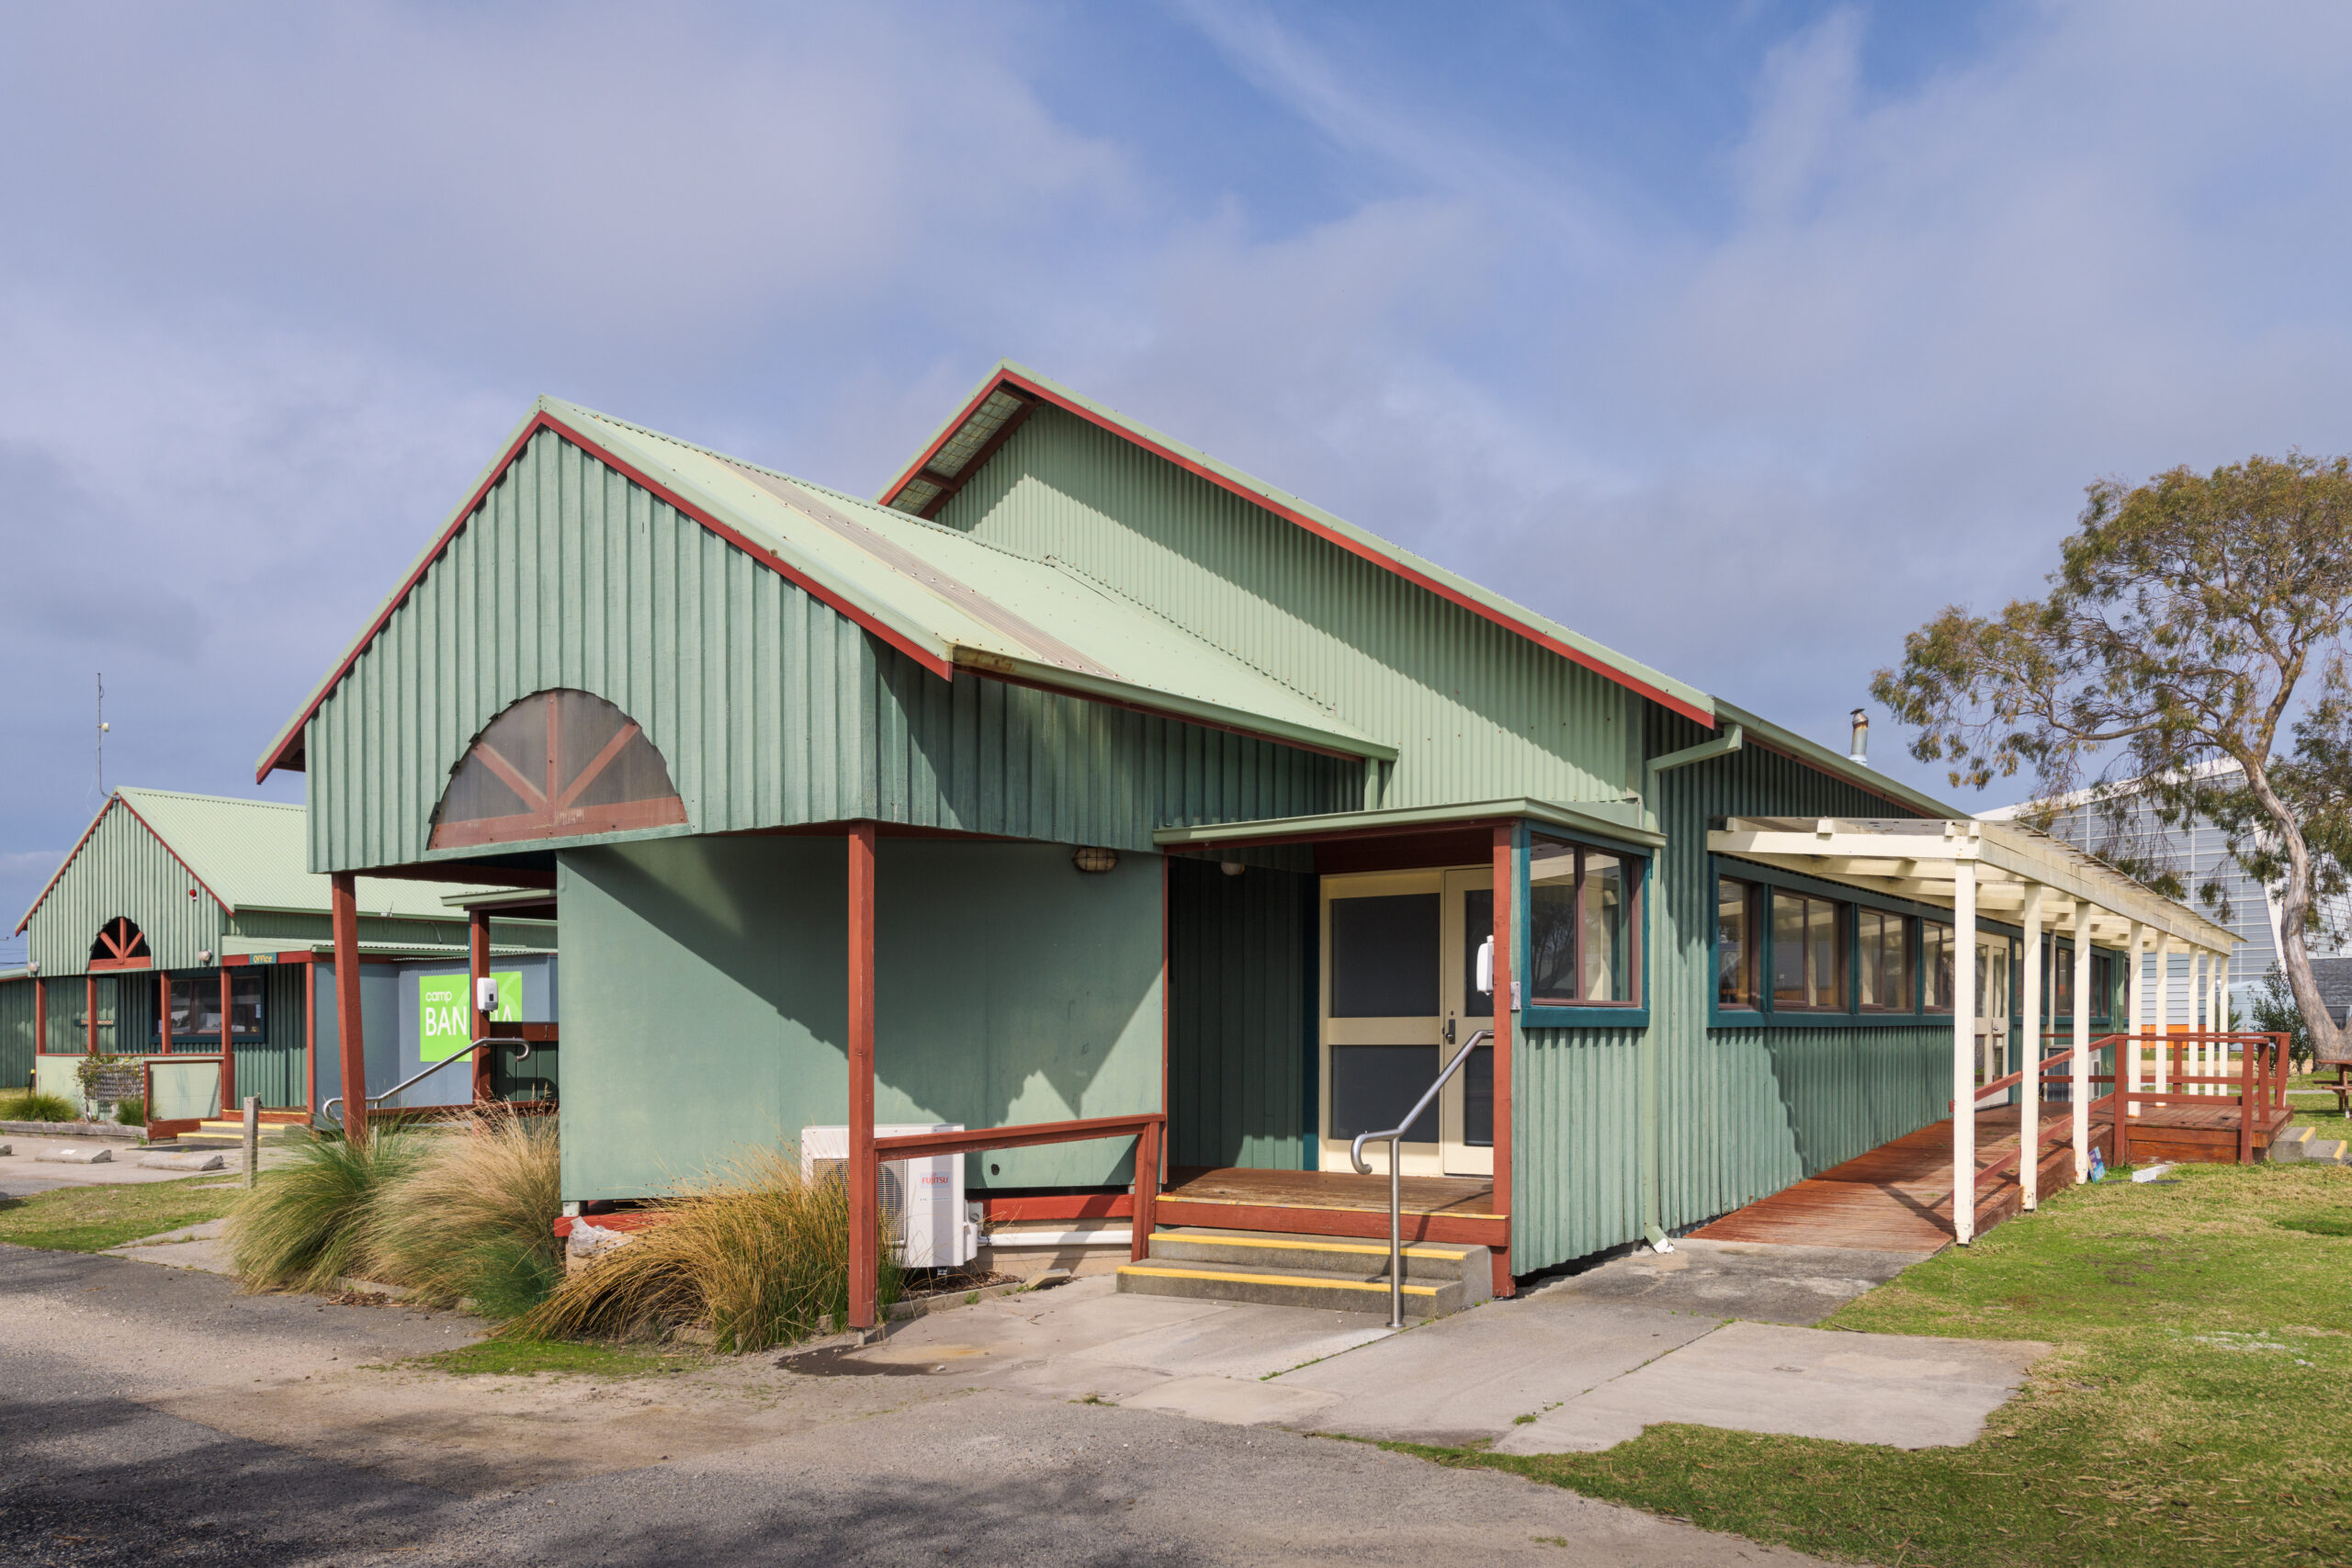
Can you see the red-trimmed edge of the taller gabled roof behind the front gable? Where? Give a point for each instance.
(1013, 391)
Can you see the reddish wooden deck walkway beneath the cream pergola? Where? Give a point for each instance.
(1899, 1195)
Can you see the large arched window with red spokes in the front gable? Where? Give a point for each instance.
(556, 765)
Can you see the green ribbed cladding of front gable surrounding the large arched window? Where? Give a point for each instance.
(768, 706)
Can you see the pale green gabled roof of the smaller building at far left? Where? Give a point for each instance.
(248, 855)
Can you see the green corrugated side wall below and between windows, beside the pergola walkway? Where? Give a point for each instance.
(1744, 1113)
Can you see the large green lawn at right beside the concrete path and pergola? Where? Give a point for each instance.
(2189, 1416)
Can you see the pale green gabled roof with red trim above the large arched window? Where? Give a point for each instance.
(928, 591)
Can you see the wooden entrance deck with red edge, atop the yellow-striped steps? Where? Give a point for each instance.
(1332, 1205)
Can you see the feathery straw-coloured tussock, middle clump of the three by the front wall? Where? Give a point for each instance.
(476, 1217)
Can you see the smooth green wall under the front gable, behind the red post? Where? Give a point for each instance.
(707, 1003)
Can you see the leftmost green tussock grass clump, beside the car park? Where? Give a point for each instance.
(314, 1219)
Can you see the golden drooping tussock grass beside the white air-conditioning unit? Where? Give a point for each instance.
(759, 1254)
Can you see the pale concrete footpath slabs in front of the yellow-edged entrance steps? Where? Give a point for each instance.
(1579, 1365)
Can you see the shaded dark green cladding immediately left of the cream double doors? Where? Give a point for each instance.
(1241, 986)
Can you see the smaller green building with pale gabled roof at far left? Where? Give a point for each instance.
(180, 913)
